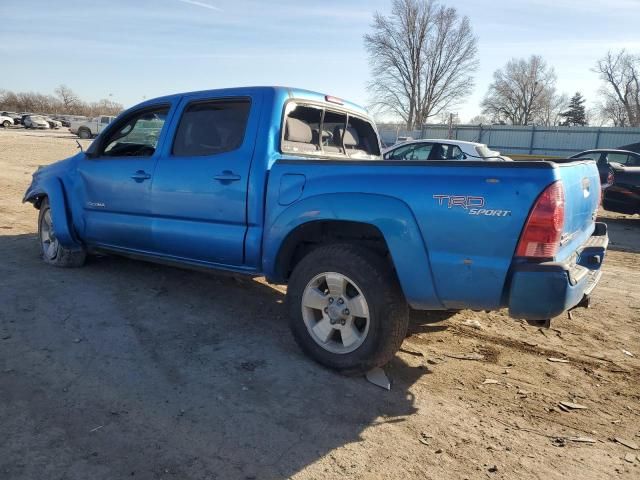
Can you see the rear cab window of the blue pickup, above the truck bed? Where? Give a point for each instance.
(310, 129)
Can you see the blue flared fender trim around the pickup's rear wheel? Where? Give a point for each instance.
(392, 217)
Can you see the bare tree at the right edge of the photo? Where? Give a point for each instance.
(621, 74)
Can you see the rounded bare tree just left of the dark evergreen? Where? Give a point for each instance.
(522, 92)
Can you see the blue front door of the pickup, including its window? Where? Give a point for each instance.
(116, 176)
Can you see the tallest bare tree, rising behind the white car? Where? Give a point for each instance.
(422, 60)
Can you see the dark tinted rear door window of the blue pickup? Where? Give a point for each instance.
(209, 128)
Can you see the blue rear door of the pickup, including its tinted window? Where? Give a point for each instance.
(199, 192)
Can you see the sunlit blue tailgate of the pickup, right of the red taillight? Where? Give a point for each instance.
(581, 182)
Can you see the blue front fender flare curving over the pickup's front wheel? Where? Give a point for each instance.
(52, 188)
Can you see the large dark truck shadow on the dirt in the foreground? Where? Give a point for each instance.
(129, 369)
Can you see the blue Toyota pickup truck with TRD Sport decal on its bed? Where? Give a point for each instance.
(291, 184)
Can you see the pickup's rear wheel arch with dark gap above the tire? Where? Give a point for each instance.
(382, 222)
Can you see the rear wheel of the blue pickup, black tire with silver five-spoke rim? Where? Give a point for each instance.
(379, 335)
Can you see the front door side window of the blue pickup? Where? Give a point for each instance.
(137, 135)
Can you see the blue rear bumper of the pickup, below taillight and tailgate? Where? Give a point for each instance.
(540, 291)
